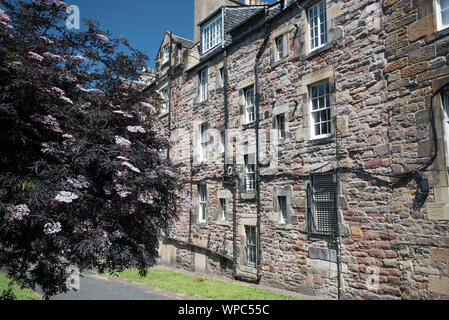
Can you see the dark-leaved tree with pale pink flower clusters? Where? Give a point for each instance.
(81, 178)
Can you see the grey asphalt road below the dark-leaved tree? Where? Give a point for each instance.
(101, 287)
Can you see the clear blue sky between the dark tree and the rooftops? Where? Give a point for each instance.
(142, 22)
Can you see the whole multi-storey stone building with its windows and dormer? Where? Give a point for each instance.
(312, 136)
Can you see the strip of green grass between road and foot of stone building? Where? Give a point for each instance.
(209, 288)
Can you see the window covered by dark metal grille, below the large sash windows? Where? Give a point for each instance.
(322, 209)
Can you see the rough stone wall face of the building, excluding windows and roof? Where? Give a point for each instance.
(383, 63)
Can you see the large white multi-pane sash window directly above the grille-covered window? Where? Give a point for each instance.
(326, 108)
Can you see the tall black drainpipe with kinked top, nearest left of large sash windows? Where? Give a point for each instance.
(257, 100)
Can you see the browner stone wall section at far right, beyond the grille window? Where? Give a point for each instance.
(416, 68)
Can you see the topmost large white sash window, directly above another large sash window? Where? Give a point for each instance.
(317, 15)
